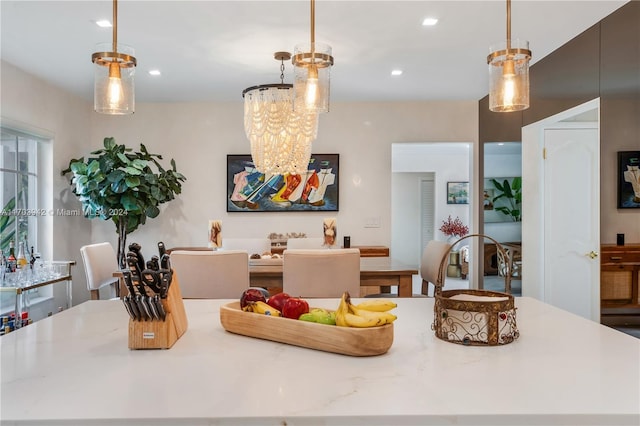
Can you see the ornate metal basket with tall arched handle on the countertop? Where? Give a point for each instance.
(473, 317)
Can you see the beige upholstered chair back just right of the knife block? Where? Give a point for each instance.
(211, 274)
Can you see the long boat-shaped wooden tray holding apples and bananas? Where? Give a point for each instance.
(340, 340)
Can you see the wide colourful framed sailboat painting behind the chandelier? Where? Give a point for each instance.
(248, 190)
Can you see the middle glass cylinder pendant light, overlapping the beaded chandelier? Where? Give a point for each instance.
(312, 63)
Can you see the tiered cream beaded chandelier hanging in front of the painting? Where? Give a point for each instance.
(280, 137)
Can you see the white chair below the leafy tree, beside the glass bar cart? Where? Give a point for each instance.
(100, 262)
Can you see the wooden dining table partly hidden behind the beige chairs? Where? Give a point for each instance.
(381, 272)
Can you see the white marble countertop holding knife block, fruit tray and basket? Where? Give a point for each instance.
(74, 368)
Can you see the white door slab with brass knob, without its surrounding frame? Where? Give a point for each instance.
(572, 219)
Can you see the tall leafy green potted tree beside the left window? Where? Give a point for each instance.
(120, 184)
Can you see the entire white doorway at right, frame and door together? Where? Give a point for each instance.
(561, 198)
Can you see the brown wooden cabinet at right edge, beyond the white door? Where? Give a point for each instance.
(619, 281)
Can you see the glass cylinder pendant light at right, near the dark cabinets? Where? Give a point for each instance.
(509, 73)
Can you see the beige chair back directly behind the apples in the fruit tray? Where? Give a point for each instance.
(321, 272)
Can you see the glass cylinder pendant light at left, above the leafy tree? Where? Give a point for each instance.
(114, 68)
